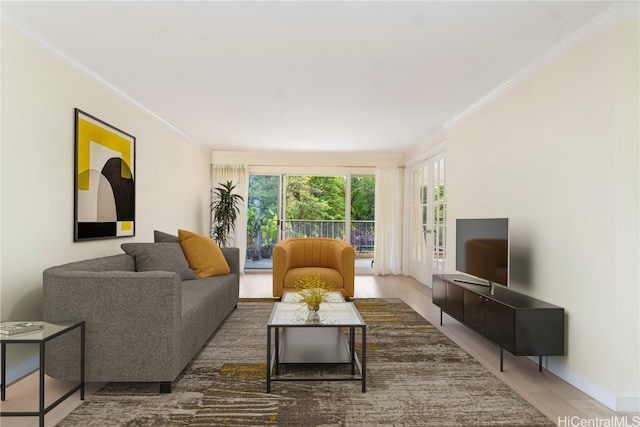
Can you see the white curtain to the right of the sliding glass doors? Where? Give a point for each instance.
(389, 215)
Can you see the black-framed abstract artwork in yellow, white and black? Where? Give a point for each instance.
(104, 180)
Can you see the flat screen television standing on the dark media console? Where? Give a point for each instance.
(482, 249)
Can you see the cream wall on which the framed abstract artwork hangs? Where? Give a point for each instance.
(39, 94)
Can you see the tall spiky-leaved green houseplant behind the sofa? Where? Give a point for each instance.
(225, 206)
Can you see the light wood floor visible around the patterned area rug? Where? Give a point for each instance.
(552, 396)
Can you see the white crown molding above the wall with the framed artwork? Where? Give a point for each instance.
(41, 42)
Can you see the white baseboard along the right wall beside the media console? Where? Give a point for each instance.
(602, 395)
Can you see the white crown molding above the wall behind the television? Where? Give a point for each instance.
(626, 11)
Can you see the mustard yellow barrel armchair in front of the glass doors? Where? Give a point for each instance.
(332, 259)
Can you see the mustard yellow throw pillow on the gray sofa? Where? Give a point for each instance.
(203, 254)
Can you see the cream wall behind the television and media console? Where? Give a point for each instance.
(558, 155)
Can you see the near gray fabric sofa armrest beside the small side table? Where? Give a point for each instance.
(133, 322)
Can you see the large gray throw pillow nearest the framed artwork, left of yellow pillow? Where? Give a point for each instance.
(159, 257)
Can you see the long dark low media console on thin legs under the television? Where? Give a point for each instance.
(522, 325)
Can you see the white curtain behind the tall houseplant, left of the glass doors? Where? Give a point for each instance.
(239, 176)
